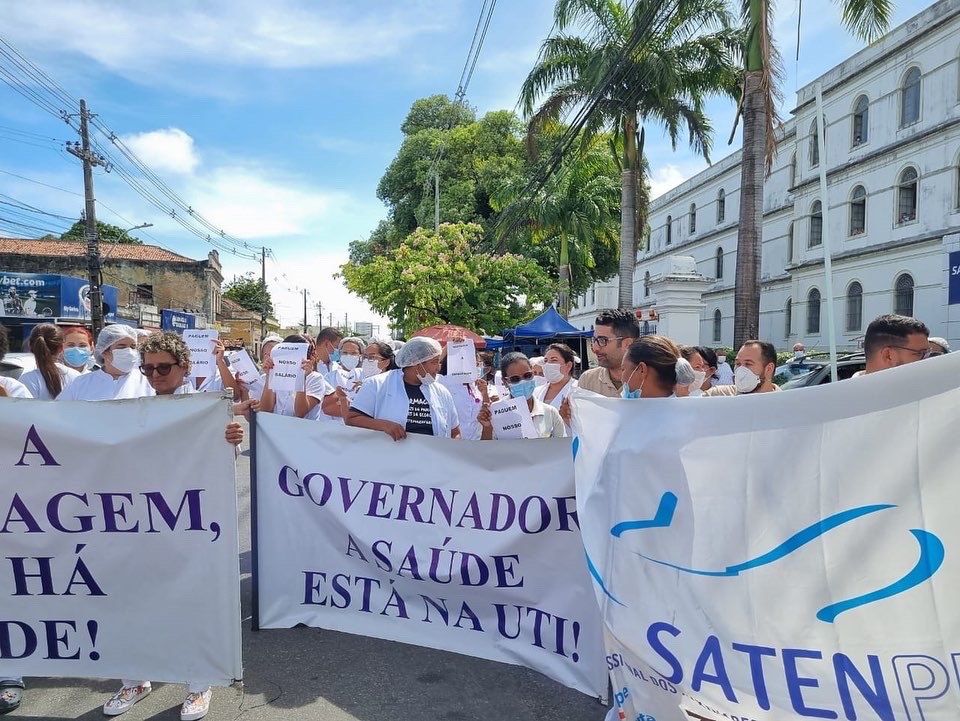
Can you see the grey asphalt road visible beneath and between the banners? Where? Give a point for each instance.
(307, 673)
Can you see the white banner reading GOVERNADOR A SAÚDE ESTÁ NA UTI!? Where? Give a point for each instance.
(465, 547)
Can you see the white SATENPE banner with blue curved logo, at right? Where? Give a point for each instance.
(780, 556)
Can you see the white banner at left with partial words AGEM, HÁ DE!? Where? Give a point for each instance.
(118, 540)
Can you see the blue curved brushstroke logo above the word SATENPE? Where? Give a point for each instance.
(931, 553)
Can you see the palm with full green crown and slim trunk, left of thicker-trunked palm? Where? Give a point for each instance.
(639, 65)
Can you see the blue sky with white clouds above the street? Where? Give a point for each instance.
(276, 120)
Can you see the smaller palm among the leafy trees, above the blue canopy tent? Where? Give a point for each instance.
(575, 213)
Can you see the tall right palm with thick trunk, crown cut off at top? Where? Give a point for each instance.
(760, 95)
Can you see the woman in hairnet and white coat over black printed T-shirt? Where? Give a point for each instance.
(408, 400)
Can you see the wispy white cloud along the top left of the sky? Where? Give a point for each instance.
(134, 39)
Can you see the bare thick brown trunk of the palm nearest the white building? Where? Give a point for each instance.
(746, 314)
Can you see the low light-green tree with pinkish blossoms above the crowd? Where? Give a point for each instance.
(435, 278)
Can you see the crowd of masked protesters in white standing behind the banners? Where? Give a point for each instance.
(404, 388)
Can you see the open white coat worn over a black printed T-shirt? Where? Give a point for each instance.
(384, 397)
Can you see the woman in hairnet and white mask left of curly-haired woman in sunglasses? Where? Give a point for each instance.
(116, 352)
